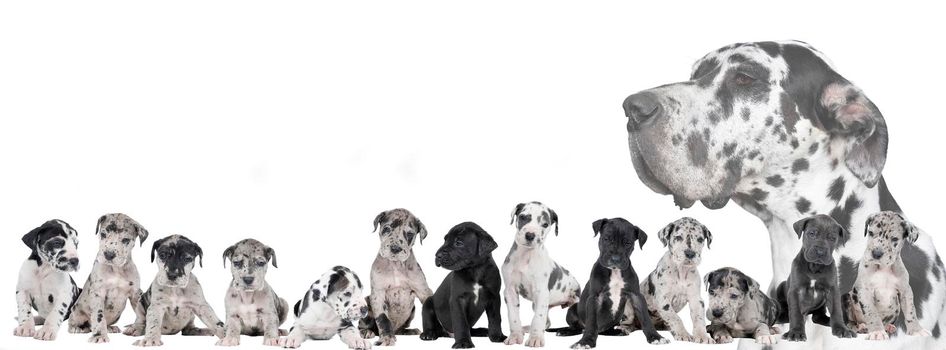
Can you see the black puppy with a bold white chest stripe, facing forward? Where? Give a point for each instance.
(612, 296)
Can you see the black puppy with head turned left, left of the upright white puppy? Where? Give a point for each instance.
(471, 288)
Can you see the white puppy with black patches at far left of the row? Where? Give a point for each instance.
(44, 283)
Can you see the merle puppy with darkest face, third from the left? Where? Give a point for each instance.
(175, 295)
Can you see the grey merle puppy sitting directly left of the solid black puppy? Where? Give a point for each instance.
(396, 278)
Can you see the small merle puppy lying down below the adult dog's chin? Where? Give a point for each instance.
(739, 309)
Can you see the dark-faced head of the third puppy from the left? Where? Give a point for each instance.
(176, 256)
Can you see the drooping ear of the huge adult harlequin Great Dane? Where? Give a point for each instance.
(848, 113)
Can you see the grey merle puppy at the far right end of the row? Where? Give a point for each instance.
(881, 289)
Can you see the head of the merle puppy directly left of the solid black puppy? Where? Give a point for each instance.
(399, 230)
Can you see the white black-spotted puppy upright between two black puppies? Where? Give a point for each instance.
(529, 271)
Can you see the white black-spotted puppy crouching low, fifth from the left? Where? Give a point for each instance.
(332, 305)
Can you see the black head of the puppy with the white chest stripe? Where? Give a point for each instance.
(617, 242)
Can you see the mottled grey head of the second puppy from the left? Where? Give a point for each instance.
(117, 233)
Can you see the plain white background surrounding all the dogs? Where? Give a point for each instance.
(296, 123)
